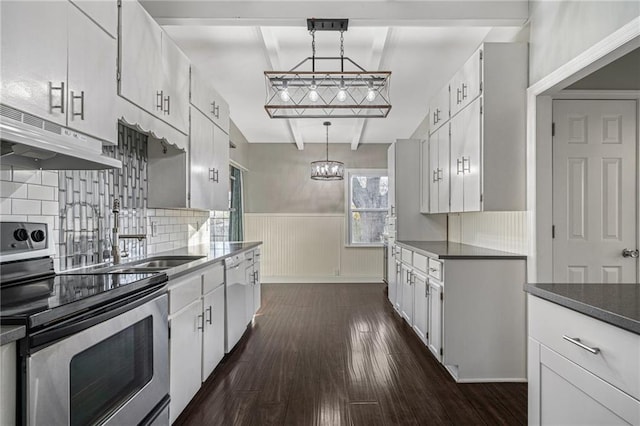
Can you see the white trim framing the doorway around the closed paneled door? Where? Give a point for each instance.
(539, 152)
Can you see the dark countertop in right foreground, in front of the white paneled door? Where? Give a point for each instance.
(616, 304)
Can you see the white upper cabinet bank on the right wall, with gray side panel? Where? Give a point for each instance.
(486, 148)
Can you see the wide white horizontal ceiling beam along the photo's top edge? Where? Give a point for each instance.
(366, 13)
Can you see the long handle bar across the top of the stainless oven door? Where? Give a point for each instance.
(58, 331)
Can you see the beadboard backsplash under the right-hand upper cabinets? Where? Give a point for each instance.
(506, 231)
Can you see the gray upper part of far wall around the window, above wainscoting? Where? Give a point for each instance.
(278, 179)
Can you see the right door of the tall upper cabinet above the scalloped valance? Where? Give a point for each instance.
(175, 85)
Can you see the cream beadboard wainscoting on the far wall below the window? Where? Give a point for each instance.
(310, 248)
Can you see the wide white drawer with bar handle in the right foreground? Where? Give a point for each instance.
(619, 350)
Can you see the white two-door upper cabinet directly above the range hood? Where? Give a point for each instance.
(65, 74)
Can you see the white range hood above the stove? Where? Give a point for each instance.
(30, 142)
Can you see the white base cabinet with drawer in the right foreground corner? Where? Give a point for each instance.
(570, 385)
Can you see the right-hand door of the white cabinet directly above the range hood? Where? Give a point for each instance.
(92, 85)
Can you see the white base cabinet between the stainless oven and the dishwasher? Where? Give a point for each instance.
(196, 339)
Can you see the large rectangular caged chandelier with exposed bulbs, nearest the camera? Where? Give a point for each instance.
(343, 93)
